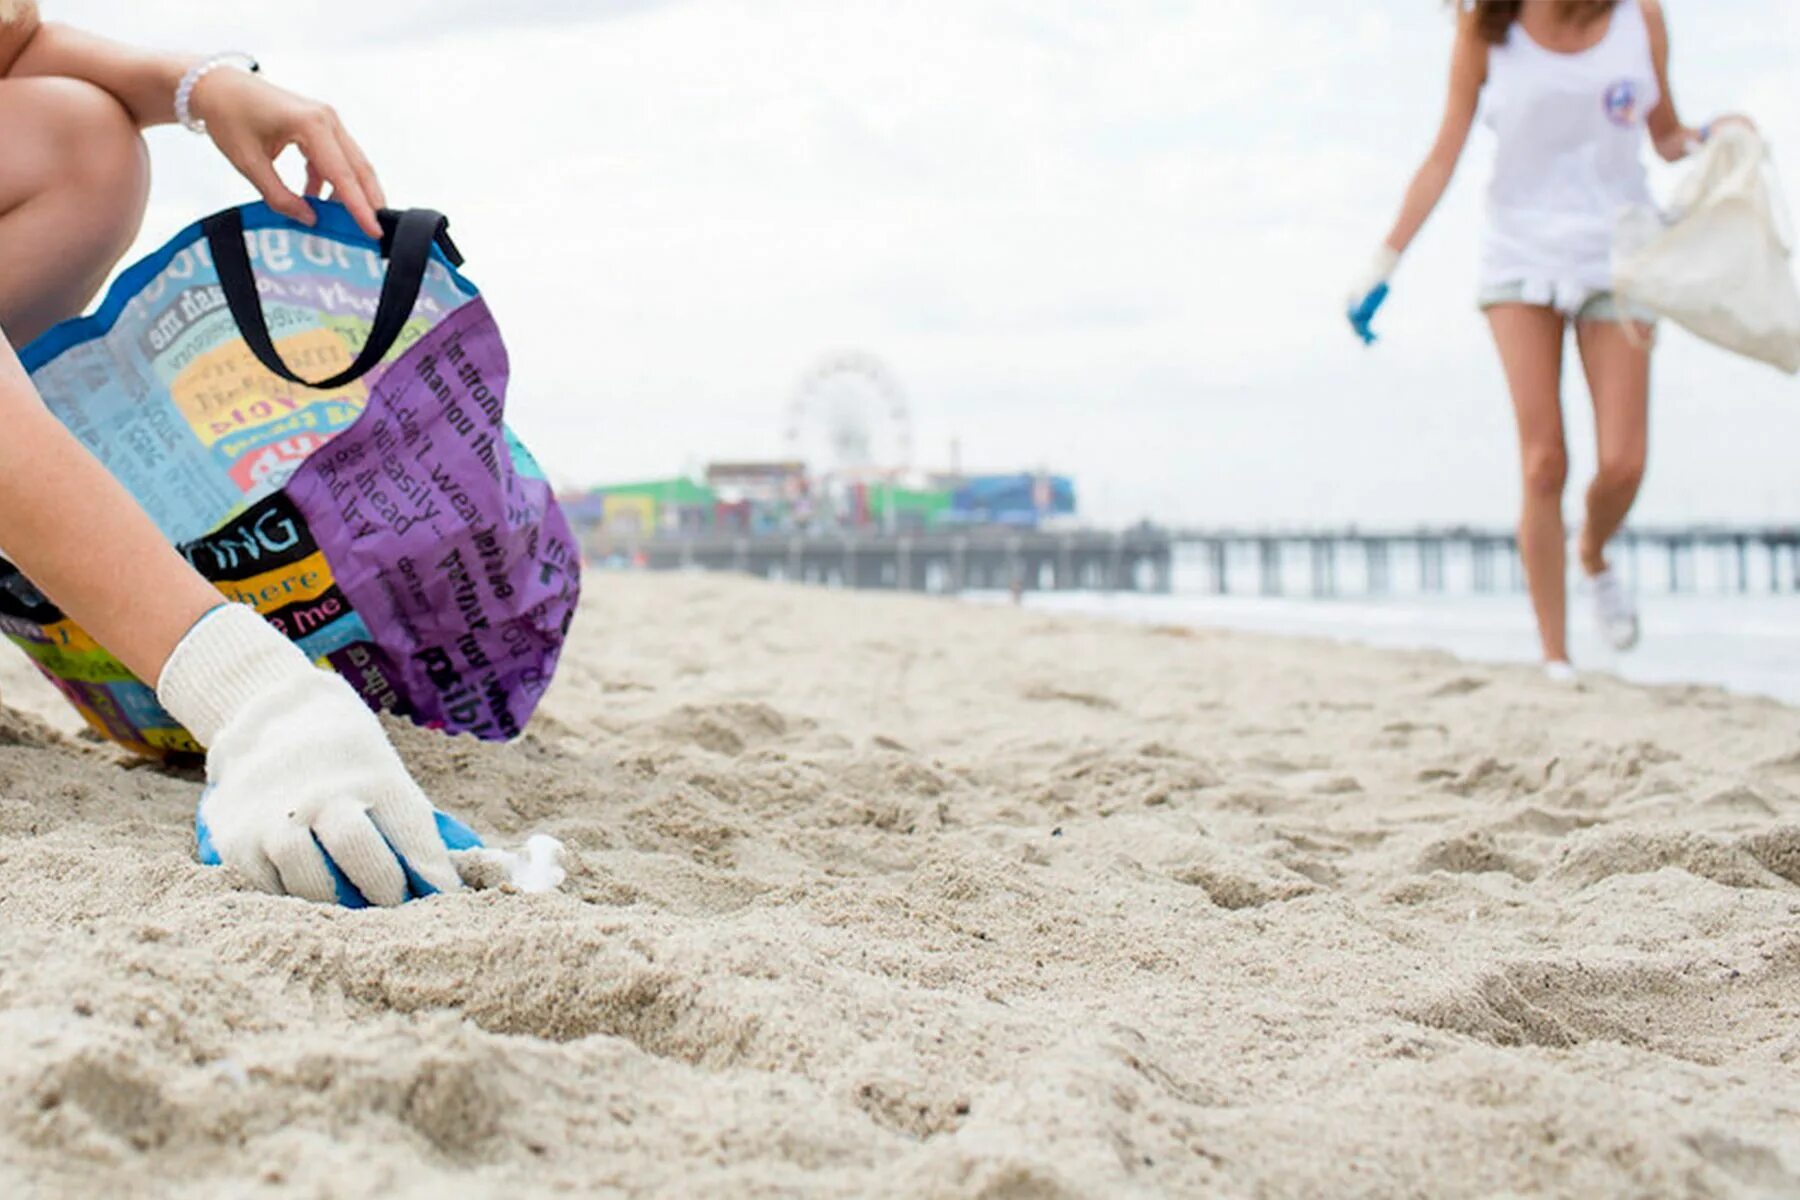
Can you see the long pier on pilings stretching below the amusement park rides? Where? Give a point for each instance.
(1221, 562)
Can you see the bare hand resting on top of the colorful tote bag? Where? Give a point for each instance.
(253, 121)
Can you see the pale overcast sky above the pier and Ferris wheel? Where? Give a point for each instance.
(1106, 237)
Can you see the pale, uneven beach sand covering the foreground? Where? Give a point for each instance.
(881, 895)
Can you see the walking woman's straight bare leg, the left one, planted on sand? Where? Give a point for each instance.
(1531, 352)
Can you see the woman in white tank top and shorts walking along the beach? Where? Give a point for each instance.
(1570, 89)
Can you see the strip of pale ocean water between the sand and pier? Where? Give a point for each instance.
(1741, 643)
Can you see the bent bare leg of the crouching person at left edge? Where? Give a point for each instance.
(75, 181)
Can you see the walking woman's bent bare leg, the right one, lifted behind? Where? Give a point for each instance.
(1617, 363)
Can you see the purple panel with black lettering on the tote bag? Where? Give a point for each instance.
(462, 566)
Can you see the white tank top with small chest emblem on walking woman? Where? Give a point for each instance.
(1570, 157)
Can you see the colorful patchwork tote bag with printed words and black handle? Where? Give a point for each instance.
(318, 422)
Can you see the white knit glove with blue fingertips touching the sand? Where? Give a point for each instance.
(298, 769)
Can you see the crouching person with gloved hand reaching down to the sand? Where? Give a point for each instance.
(296, 766)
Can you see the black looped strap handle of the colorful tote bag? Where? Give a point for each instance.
(408, 238)
